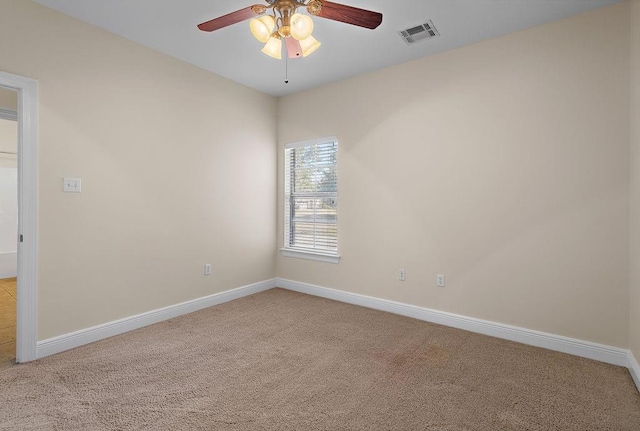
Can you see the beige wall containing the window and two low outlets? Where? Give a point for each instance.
(503, 165)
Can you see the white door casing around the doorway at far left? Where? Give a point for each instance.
(27, 114)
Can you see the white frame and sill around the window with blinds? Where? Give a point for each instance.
(303, 252)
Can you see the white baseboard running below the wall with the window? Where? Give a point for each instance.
(585, 349)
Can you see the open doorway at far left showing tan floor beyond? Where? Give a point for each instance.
(8, 223)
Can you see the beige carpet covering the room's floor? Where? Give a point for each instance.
(280, 360)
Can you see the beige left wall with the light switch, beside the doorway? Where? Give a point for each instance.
(177, 168)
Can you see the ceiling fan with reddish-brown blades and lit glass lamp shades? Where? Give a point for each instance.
(285, 22)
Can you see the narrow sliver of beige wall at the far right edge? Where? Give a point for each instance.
(635, 181)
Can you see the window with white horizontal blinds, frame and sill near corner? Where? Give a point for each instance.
(311, 200)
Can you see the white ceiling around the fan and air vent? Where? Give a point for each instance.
(170, 26)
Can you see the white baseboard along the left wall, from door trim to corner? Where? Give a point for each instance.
(100, 332)
